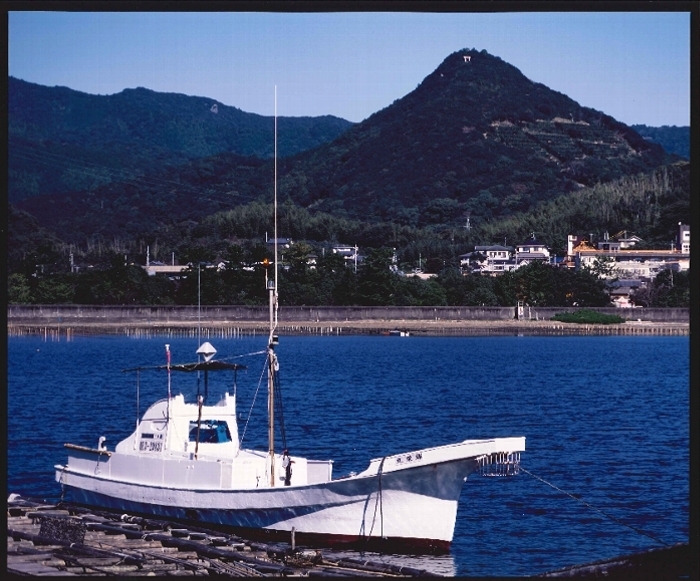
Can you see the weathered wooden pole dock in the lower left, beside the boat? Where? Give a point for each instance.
(62, 540)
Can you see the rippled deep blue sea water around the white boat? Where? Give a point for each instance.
(606, 420)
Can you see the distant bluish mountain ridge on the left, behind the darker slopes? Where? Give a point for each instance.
(61, 140)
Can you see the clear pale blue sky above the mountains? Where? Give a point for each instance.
(634, 66)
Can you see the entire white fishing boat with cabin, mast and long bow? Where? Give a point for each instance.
(185, 462)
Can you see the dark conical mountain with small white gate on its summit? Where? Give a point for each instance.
(476, 138)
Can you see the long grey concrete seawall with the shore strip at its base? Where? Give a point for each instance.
(223, 321)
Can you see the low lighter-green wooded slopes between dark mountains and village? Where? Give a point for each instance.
(651, 205)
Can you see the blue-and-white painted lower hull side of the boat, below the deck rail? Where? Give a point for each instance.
(414, 508)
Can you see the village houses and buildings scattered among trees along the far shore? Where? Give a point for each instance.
(626, 263)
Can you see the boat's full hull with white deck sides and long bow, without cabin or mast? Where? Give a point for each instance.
(406, 500)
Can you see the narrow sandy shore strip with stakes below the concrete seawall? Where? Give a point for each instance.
(425, 328)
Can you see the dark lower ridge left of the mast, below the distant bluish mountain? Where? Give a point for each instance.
(173, 197)
